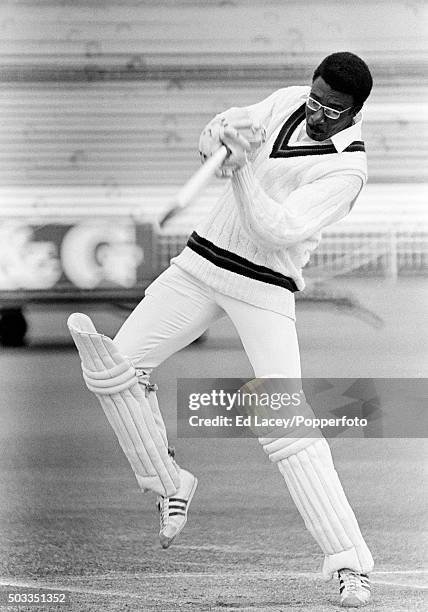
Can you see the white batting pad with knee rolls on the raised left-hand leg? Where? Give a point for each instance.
(113, 380)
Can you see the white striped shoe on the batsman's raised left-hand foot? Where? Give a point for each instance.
(173, 510)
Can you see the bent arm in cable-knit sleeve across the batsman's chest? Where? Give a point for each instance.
(308, 209)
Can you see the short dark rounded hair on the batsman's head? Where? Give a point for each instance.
(347, 73)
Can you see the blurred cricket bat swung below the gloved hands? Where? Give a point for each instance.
(195, 184)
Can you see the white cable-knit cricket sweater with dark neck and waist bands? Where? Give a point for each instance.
(257, 238)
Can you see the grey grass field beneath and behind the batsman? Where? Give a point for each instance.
(72, 517)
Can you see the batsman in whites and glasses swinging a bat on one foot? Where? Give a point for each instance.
(296, 163)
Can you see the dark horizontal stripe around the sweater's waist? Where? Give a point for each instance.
(234, 263)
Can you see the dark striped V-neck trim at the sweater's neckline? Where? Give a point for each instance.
(281, 148)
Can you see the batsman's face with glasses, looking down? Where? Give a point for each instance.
(318, 126)
